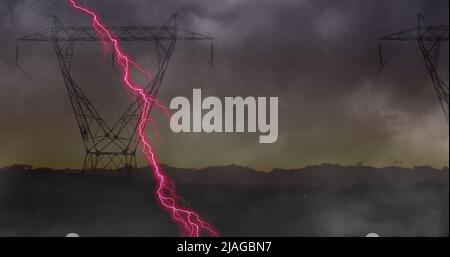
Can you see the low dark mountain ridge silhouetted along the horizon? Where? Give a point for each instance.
(316, 175)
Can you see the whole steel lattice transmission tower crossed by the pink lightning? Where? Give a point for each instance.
(110, 146)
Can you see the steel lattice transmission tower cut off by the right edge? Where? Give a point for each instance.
(429, 38)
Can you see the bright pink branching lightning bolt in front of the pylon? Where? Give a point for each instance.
(190, 223)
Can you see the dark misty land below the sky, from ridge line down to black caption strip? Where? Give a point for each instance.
(326, 200)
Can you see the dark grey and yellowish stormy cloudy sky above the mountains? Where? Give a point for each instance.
(320, 58)
